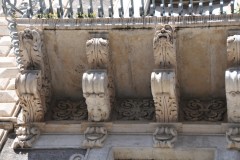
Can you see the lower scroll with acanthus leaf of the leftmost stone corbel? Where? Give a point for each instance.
(28, 86)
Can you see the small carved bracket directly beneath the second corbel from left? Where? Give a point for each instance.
(94, 137)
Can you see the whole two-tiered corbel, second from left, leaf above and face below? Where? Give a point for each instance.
(98, 101)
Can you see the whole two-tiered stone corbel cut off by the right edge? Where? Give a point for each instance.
(232, 78)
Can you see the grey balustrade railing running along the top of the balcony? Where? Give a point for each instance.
(118, 8)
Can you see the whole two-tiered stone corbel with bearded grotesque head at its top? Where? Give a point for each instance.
(163, 79)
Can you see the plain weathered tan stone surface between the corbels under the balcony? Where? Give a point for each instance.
(201, 60)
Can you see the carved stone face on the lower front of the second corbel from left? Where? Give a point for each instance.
(98, 108)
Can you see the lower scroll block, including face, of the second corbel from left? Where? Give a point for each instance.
(96, 92)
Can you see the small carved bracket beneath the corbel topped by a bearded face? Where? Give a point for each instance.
(164, 137)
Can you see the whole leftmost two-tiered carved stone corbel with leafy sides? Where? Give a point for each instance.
(33, 83)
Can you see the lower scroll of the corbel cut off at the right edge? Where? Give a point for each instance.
(232, 83)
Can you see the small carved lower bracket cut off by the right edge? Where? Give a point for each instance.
(233, 138)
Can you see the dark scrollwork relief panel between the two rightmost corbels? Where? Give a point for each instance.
(204, 110)
